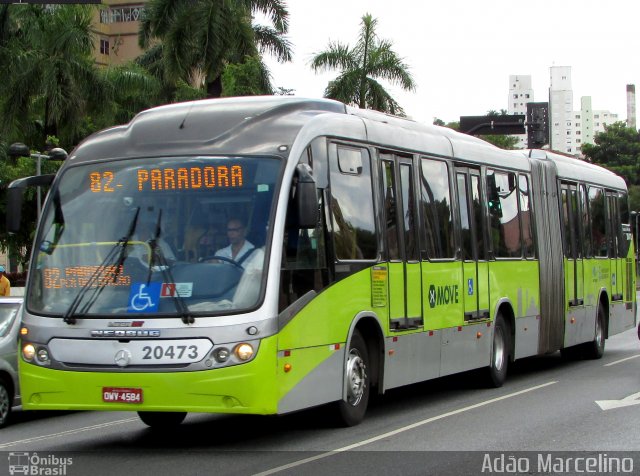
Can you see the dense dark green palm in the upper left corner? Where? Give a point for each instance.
(52, 78)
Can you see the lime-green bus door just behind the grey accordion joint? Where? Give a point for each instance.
(573, 253)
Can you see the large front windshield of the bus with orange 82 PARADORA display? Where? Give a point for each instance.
(161, 236)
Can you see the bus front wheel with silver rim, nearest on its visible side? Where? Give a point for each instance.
(352, 410)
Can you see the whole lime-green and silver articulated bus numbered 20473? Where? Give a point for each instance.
(378, 252)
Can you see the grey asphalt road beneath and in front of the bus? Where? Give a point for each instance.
(455, 425)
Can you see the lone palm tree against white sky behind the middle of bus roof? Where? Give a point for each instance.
(369, 59)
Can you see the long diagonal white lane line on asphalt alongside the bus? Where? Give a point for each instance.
(399, 430)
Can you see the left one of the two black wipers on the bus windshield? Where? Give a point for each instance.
(70, 315)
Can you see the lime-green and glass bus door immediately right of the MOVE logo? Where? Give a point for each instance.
(473, 244)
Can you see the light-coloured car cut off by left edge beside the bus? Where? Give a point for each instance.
(9, 326)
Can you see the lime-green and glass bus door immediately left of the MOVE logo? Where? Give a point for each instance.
(401, 242)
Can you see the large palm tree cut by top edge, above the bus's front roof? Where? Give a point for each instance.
(194, 40)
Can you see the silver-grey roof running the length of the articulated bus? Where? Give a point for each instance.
(261, 124)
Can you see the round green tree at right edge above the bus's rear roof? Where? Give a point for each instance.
(618, 149)
